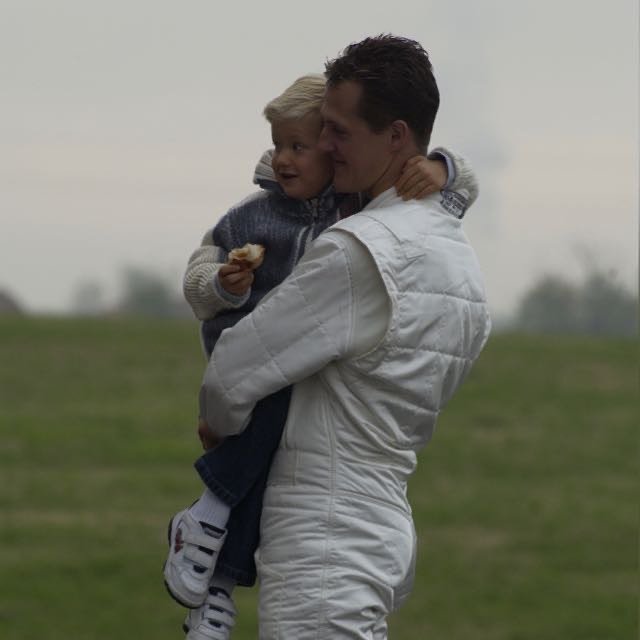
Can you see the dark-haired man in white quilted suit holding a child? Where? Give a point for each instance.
(376, 327)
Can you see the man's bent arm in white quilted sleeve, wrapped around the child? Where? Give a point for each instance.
(300, 327)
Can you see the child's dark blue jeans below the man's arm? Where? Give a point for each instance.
(236, 471)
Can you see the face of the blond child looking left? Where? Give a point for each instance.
(301, 169)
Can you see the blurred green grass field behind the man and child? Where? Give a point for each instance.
(526, 501)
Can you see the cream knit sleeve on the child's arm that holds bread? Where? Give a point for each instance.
(201, 286)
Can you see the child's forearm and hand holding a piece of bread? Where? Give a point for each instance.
(210, 285)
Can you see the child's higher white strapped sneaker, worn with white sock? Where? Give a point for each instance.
(193, 552)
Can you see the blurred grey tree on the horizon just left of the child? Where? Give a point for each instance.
(145, 292)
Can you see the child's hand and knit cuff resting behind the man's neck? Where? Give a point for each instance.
(441, 169)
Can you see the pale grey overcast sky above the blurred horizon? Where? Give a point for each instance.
(128, 128)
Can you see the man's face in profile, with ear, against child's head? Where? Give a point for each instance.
(361, 158)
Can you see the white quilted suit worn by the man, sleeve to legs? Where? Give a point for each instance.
(338, 544)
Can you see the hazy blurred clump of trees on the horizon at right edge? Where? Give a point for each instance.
(597, 306)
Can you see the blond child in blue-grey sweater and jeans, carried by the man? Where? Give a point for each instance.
(212, 543)
